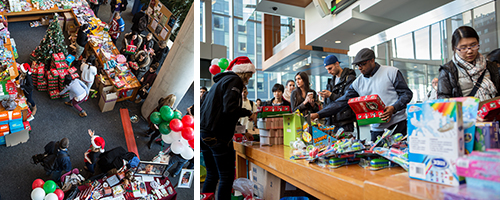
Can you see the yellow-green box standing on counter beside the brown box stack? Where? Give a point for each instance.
(291, 124)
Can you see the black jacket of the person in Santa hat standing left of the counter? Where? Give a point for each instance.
(221, 107)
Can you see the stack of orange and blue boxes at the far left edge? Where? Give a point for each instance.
(10, 122)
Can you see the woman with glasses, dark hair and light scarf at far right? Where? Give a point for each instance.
(468, 73)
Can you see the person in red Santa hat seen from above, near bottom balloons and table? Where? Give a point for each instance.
(92, 154)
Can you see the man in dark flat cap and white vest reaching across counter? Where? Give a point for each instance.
(386, 81)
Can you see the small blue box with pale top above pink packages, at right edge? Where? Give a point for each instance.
(487, 136)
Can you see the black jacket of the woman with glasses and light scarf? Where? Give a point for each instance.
(448, 85)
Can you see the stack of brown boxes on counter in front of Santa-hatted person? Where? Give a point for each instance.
(270, 130)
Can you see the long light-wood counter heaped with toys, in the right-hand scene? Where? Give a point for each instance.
(349, 182)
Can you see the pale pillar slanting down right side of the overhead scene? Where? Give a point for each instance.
(177, 72)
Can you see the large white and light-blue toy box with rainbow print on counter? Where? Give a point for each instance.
(435, 140)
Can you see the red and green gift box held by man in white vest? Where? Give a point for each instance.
(368, 109)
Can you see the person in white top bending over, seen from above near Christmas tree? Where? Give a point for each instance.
(78, 92)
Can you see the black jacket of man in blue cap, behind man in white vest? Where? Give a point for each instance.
(346, 115)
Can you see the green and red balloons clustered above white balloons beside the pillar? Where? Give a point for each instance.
(169, 120)
